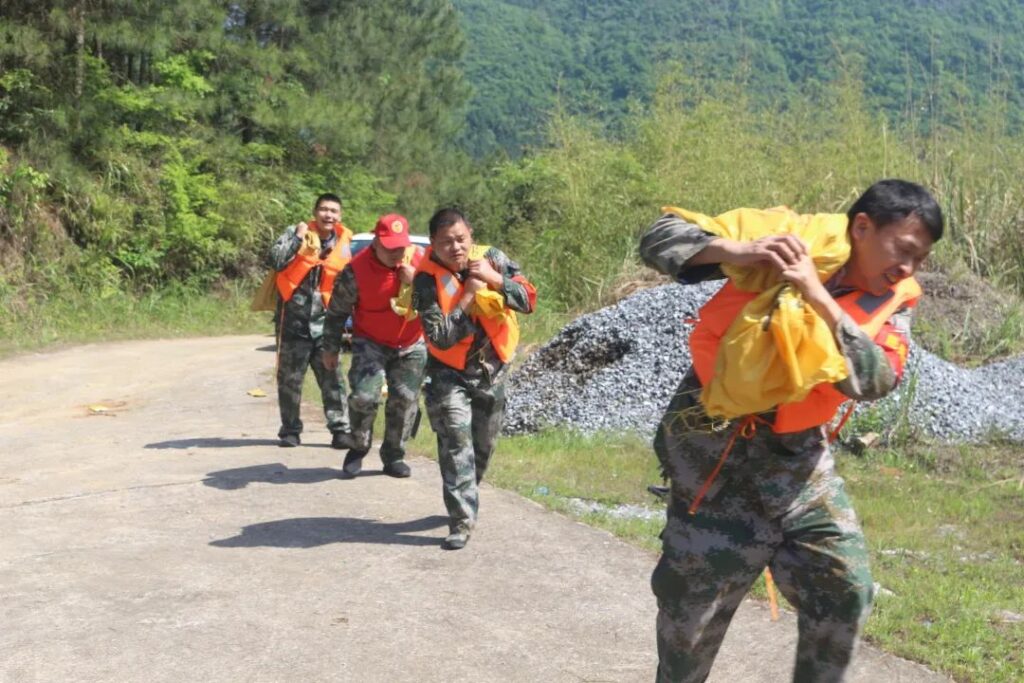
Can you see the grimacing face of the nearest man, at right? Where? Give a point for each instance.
(884, 257)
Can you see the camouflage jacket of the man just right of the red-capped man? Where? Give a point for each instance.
(444, 331)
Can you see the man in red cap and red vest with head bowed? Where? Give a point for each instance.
(388, 344)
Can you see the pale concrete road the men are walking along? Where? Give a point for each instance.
(163, 536)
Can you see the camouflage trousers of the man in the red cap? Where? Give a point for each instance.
(374, 364)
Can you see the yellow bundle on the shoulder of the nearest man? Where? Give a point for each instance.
(779, 349)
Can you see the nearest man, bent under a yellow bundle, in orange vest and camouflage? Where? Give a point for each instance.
(757, 490)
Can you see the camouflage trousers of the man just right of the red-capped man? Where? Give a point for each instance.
(466, 413)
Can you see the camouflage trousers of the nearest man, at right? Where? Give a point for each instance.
(778, 503)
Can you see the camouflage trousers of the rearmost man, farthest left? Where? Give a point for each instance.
(294, 357)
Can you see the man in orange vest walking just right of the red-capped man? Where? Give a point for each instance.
(466, 396)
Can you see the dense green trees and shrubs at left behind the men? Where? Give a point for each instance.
(152, 143)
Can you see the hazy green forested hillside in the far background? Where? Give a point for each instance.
(598, 58)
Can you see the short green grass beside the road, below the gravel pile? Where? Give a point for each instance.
(945, 528)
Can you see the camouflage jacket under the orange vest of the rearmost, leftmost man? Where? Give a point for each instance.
(305, 313)
